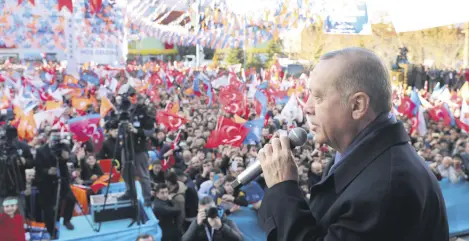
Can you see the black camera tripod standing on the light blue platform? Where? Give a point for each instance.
(125, 141)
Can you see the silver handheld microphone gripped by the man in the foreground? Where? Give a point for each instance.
(297, 136)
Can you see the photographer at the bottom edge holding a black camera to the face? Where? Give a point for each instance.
(210, 226)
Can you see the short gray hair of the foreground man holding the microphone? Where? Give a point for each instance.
(364, 72)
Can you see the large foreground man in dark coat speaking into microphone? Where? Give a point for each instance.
(377, 188)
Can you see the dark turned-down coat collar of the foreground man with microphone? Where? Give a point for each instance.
(367, 152)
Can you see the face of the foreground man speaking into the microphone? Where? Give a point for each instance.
(326, 124)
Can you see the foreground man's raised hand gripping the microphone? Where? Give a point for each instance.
(277, 162)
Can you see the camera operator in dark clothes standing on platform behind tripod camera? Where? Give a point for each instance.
(140, 127)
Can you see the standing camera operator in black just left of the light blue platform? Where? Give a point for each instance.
(54, 154)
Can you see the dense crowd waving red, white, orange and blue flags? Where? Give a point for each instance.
(192, 130)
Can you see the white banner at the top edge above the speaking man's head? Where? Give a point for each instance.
(346, 17)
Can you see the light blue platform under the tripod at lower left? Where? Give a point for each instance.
(116, 230)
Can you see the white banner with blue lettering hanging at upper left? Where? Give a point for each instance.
(99, 34)
